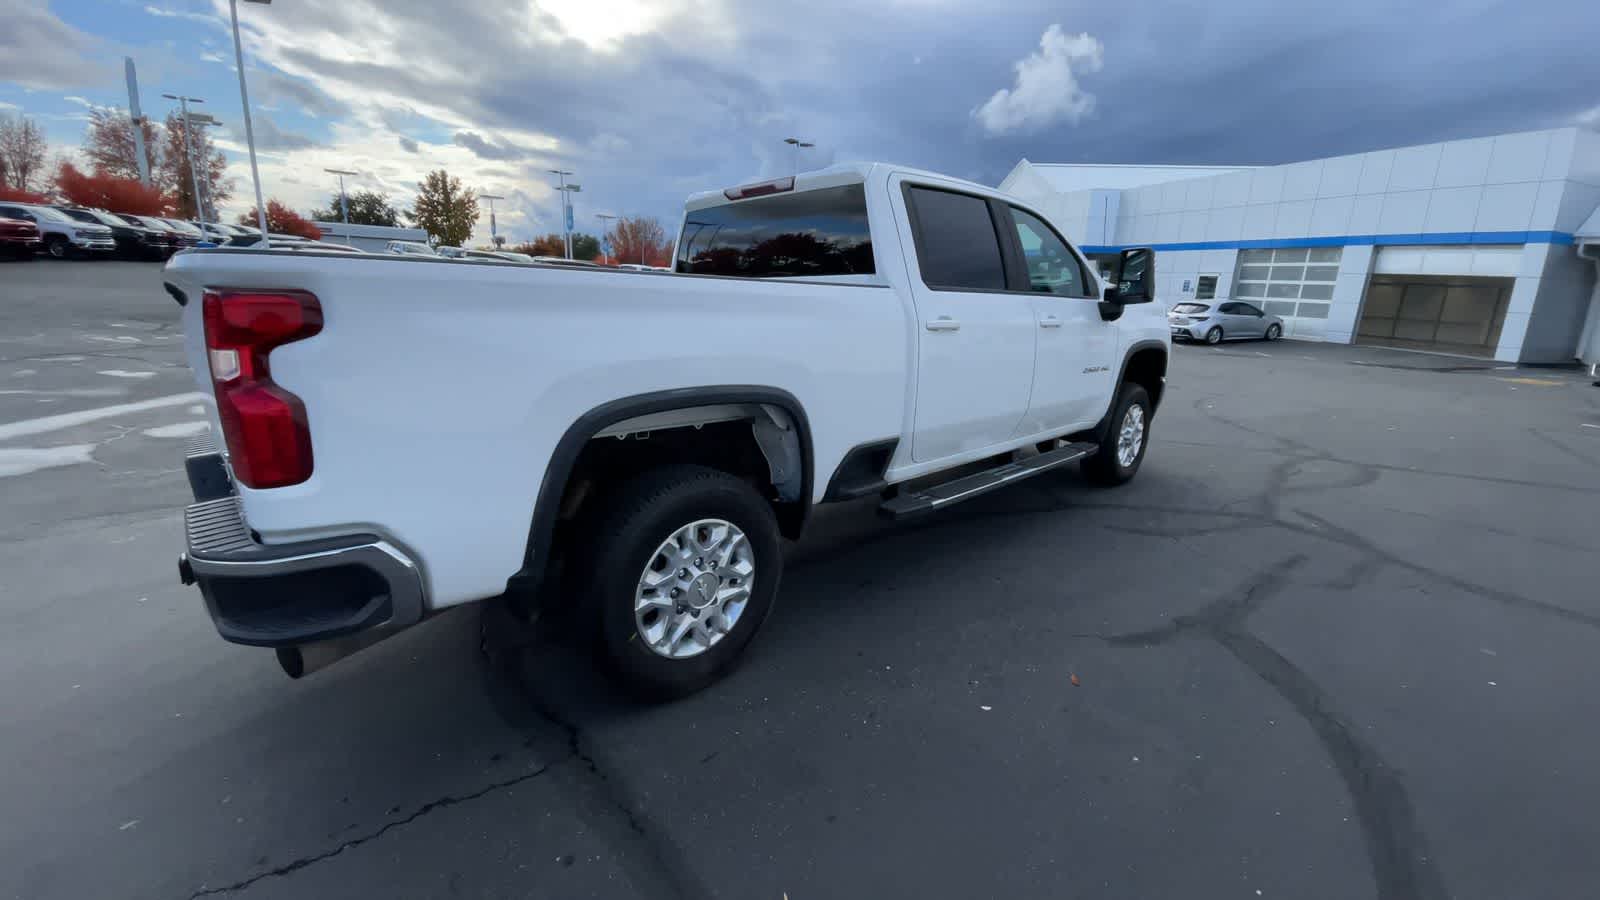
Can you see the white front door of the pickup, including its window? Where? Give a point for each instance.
(1074, 368)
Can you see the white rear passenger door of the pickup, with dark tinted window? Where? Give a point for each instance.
(975, 339)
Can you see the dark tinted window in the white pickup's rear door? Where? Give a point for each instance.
(958, 246)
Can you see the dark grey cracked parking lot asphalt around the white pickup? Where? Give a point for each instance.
(1337, 640)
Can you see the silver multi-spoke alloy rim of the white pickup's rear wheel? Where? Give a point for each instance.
(695, 589)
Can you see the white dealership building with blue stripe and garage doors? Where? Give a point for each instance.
(1487, 247)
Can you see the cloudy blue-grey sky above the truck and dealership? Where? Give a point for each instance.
(650, 100)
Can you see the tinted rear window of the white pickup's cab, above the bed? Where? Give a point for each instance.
(807, 235)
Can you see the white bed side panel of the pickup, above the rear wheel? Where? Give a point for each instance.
(439, 390)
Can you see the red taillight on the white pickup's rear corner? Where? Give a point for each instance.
(265, 425)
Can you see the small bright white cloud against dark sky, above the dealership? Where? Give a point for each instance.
(1047, 86)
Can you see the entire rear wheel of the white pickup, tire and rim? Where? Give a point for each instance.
(684, 571)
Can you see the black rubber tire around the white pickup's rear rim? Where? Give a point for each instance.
(639, 518)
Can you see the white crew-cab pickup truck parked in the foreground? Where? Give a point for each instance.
(404, 435)
